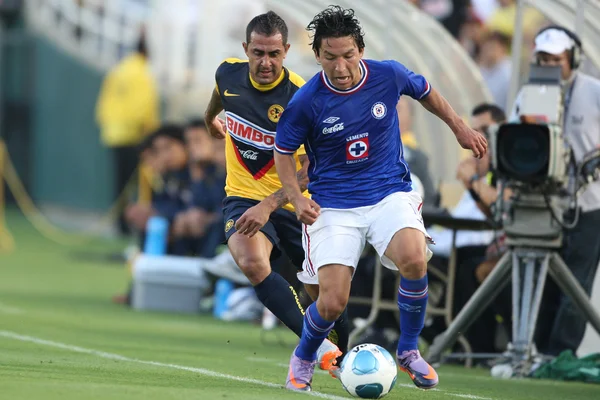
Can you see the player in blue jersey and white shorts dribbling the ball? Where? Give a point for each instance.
(360, 184)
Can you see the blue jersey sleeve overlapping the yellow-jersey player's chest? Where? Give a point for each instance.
(293, 127)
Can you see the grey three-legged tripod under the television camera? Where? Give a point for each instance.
(533, 240)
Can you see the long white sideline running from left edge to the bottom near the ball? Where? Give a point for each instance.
(111, 356)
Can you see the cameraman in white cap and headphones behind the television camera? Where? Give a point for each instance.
(557, 46)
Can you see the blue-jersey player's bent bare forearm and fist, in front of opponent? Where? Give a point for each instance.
(307, 210)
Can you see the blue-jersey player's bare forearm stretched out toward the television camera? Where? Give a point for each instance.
(466, 137)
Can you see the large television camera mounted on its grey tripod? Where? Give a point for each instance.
(531, 156)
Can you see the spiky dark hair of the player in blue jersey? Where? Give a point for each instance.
(335, 22)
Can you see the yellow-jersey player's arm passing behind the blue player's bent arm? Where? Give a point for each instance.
(256, 217)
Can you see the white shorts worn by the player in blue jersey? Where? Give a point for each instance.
(339, 235)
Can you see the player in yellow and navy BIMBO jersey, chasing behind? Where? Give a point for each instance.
(259, 220)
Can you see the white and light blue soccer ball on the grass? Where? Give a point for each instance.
(368, 371)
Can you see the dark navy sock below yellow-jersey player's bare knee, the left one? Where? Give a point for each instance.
(281, 299)
